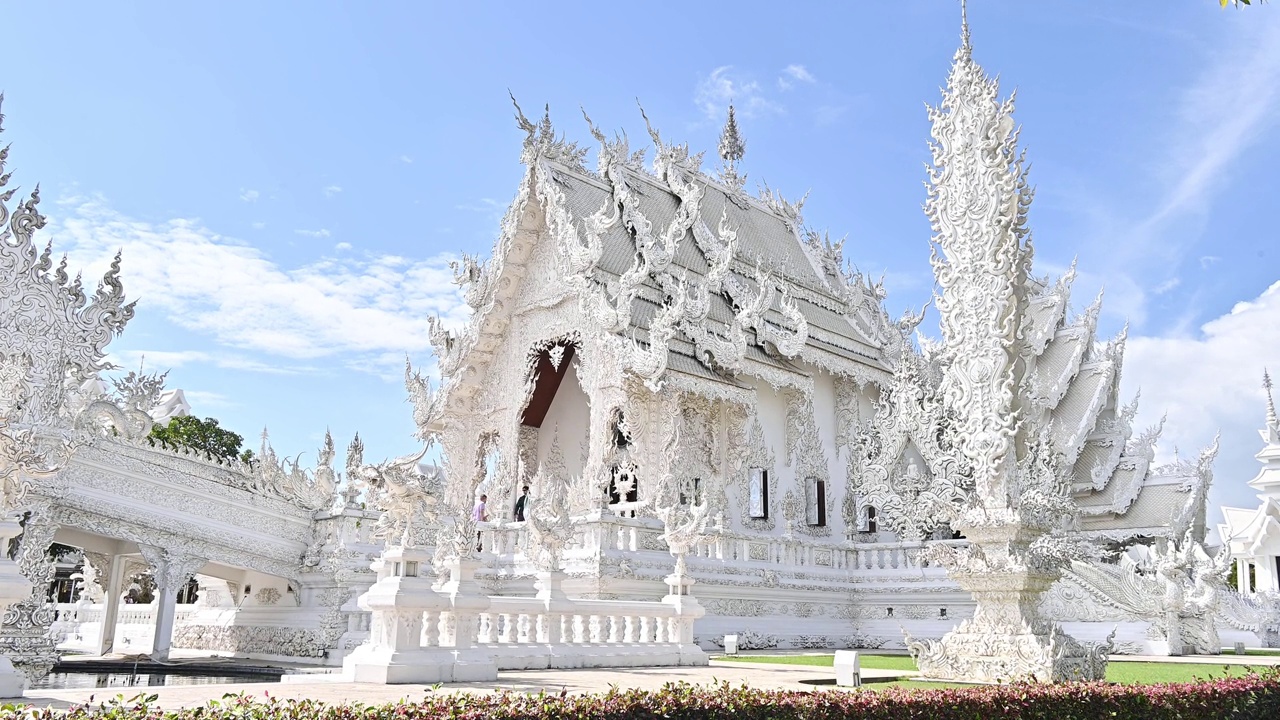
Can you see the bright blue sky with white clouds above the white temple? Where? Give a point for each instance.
(290, 180)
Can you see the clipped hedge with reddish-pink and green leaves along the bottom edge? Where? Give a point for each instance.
(1256, 696)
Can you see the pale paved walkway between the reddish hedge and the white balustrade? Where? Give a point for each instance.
(755, 675)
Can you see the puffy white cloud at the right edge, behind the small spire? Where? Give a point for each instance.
(1208, 382)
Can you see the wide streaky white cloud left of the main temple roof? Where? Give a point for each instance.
(359, 308)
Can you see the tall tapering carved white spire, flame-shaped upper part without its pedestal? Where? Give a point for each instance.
(977, 206)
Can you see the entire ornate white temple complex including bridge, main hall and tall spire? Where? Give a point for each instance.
(723, 431)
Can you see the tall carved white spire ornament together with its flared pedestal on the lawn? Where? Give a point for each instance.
(1021, 500)
